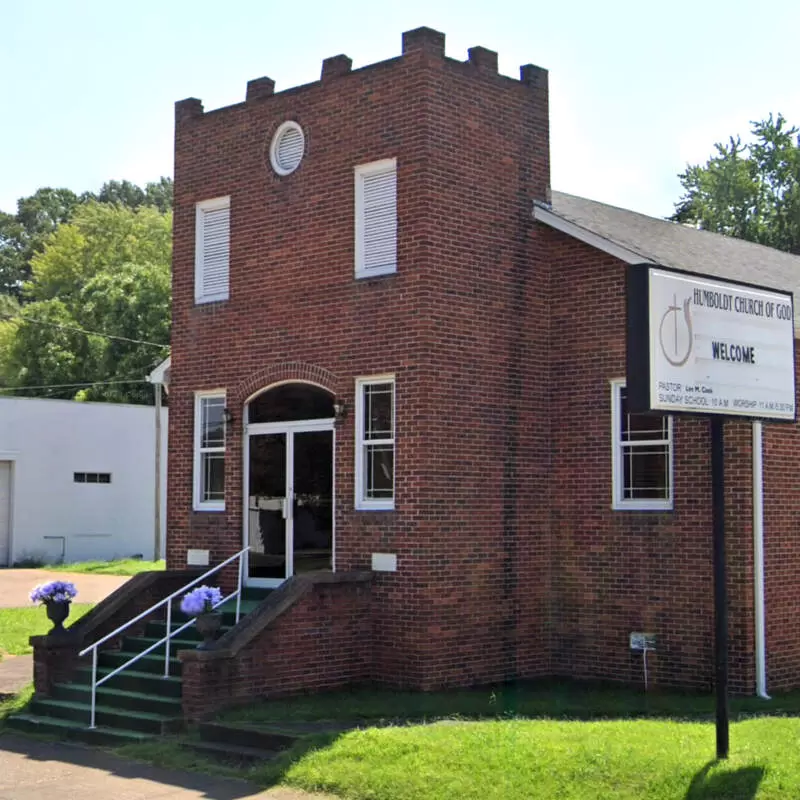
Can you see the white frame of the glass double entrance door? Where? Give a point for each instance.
(289, 429)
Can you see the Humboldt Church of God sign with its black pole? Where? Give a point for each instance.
(719, 349)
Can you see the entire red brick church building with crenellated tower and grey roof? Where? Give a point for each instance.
(398, 377)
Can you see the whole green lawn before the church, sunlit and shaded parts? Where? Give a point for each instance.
(538, 740)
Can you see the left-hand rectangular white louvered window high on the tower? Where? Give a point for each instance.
(212, 250)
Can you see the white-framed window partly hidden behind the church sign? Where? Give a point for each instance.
(642, 456)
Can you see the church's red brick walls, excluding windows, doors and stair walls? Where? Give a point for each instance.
(503, 336)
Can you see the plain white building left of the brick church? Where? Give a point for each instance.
(78, 480)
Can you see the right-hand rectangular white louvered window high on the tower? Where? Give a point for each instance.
(376, 218)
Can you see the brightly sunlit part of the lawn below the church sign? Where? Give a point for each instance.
(622, 759)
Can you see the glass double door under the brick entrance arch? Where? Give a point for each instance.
(289, 500)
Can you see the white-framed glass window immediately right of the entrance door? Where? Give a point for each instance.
(375, 443)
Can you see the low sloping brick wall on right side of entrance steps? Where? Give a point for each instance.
(322, 642)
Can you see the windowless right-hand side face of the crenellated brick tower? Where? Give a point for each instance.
(483, 530)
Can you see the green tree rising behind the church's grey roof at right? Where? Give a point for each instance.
(750, 191)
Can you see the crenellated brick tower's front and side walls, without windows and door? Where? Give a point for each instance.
(451, 324)
